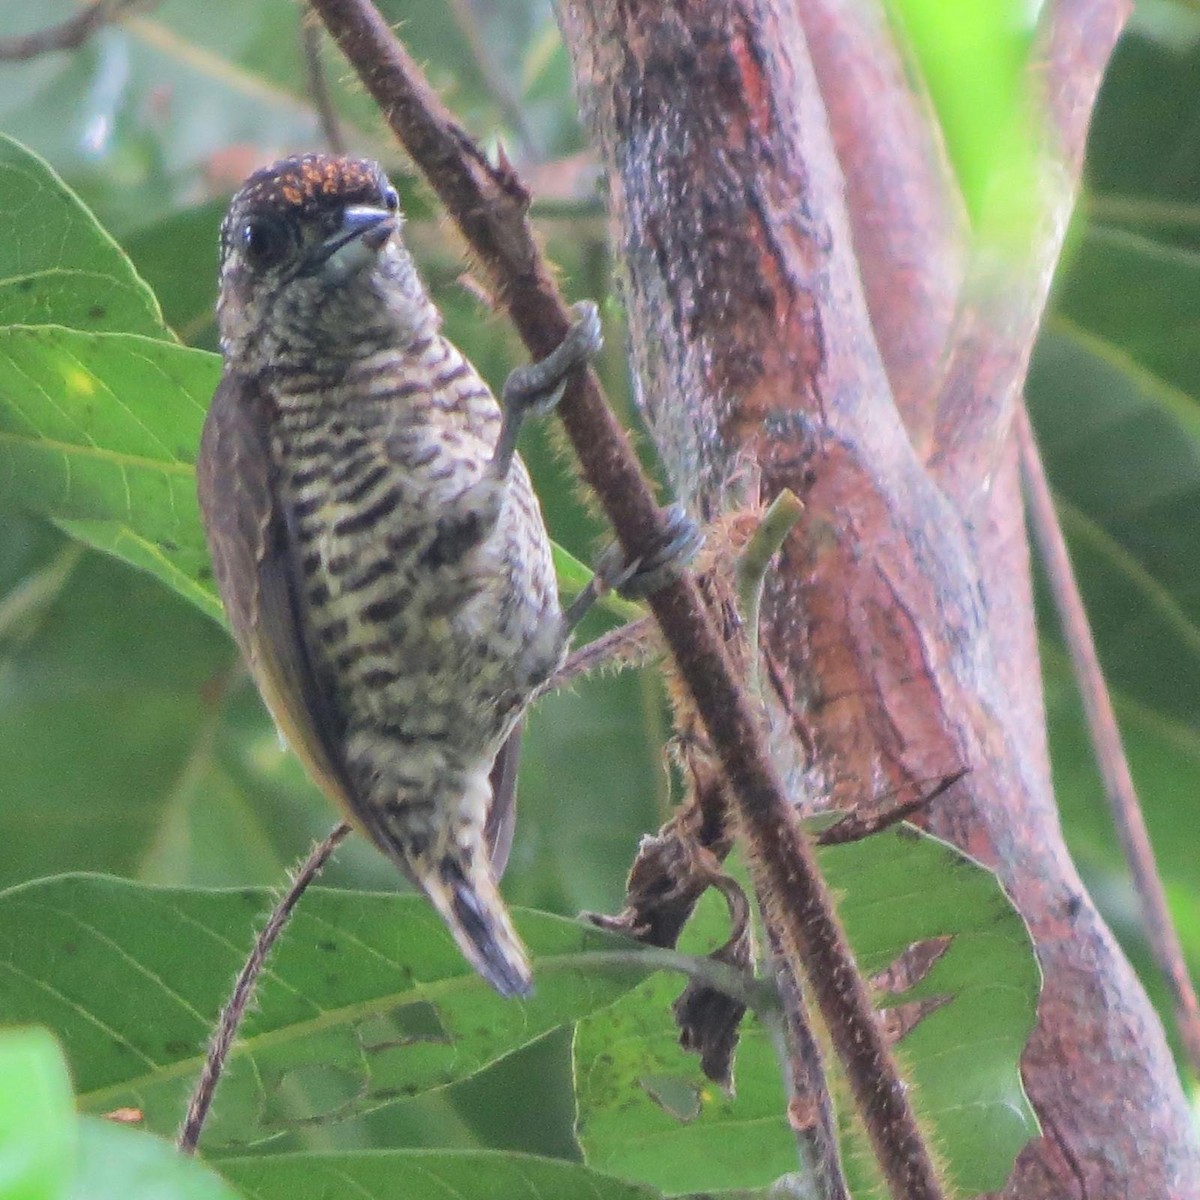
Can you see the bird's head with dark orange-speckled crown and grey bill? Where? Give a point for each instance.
(313, 265)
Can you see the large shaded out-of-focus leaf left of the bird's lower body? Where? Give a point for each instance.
(133, 741)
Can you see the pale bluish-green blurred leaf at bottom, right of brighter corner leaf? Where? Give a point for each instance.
(117, 1163)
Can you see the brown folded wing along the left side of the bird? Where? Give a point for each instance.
(257, 577)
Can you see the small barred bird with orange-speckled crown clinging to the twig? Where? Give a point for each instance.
(376, 541)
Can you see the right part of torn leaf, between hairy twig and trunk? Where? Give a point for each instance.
(963, 1059)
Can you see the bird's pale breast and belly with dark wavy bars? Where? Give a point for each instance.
(424, 632)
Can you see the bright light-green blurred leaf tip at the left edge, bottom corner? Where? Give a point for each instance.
(38, 1121)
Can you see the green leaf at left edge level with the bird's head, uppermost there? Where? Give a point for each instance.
(58, 267)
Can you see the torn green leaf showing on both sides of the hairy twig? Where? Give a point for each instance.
(647, 1113)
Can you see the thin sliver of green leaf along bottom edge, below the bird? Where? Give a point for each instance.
(424, 1175)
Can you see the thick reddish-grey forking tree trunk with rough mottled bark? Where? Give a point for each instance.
(903, 613)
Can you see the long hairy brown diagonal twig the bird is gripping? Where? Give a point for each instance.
(490, 205)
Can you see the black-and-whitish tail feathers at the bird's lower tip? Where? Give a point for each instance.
(472, 908)
